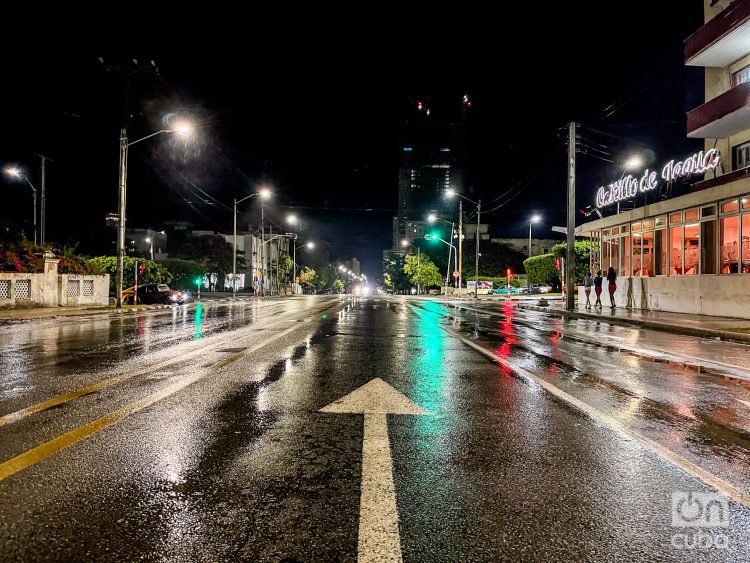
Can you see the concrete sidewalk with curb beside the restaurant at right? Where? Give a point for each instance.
(707, 326)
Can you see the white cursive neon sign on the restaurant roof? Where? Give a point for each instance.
(629, 186)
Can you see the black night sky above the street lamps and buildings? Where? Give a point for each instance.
(314, 112)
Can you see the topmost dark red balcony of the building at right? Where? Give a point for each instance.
(722, 40)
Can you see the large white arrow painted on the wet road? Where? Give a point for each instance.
(379, 539)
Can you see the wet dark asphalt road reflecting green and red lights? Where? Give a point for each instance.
(194, 434)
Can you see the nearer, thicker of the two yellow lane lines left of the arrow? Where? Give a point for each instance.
(43, 451)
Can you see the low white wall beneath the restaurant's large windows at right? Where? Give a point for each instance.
(719, 295)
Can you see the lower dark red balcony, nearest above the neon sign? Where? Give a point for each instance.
(723, 116)
